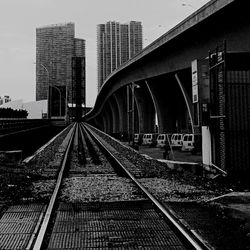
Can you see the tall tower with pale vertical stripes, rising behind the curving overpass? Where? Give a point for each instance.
(116, 44)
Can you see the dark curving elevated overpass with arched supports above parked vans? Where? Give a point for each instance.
(153, 92)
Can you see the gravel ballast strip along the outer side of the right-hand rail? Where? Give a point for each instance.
(164, 183)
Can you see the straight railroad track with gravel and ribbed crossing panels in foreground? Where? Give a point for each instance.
(97, 203)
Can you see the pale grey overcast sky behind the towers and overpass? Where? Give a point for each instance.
(20, 18)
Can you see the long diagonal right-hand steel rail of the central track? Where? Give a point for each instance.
(189, 235)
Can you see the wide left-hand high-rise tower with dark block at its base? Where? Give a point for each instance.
(56, 45)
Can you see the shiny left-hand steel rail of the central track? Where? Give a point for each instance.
(41, 234)
